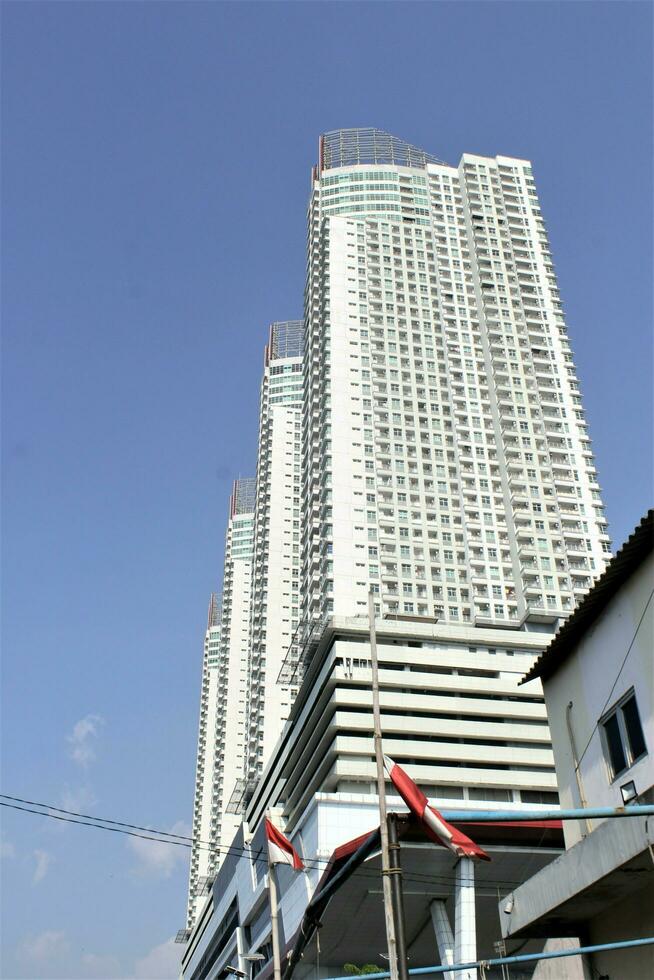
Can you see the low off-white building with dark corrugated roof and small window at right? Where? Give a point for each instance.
(598, 681)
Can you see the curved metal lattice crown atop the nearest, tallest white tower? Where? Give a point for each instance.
(349, 147)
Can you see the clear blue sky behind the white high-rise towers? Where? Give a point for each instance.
(156, 166)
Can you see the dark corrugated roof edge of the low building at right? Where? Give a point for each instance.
(633, 552)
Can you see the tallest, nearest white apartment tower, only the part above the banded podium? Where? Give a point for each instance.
(446, 457)
